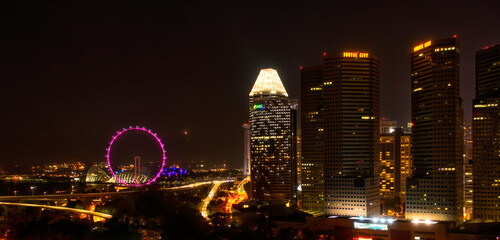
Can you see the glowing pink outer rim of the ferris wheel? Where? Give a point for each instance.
(136, 179)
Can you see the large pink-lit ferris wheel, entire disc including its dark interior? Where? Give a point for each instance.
(128, 148)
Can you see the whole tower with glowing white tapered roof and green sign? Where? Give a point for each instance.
(271, 139)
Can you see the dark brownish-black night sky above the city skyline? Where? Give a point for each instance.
(74, 72)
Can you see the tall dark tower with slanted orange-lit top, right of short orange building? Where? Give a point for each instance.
(435, 191)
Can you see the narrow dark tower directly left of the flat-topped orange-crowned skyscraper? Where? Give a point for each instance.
(311, 106)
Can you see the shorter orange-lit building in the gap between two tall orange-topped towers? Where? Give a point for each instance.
(395, 168)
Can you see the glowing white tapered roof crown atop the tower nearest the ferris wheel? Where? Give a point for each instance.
(268, 82)
